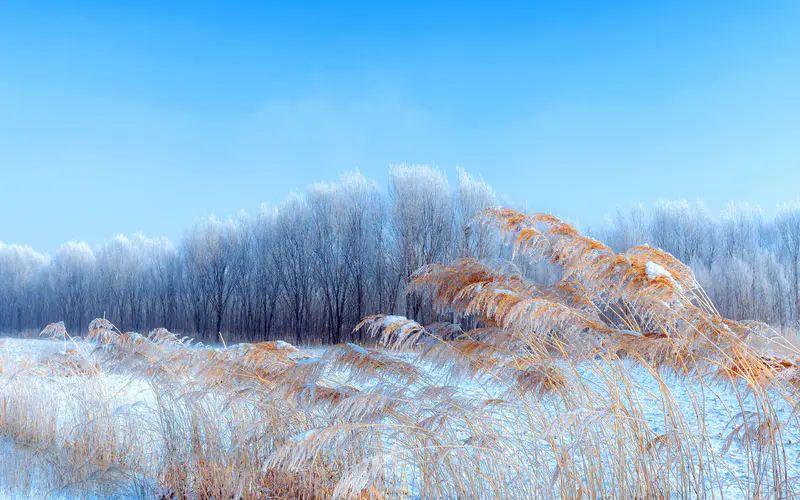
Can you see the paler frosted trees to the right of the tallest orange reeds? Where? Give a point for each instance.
(745, 260)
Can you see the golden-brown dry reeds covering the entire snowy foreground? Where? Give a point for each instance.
(609, 383)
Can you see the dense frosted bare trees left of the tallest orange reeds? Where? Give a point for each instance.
(306, 270)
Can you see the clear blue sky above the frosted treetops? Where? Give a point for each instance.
(144, 117)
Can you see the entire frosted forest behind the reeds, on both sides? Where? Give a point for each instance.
(310, 268)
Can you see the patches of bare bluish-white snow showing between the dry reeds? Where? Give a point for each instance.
(125, 397)
